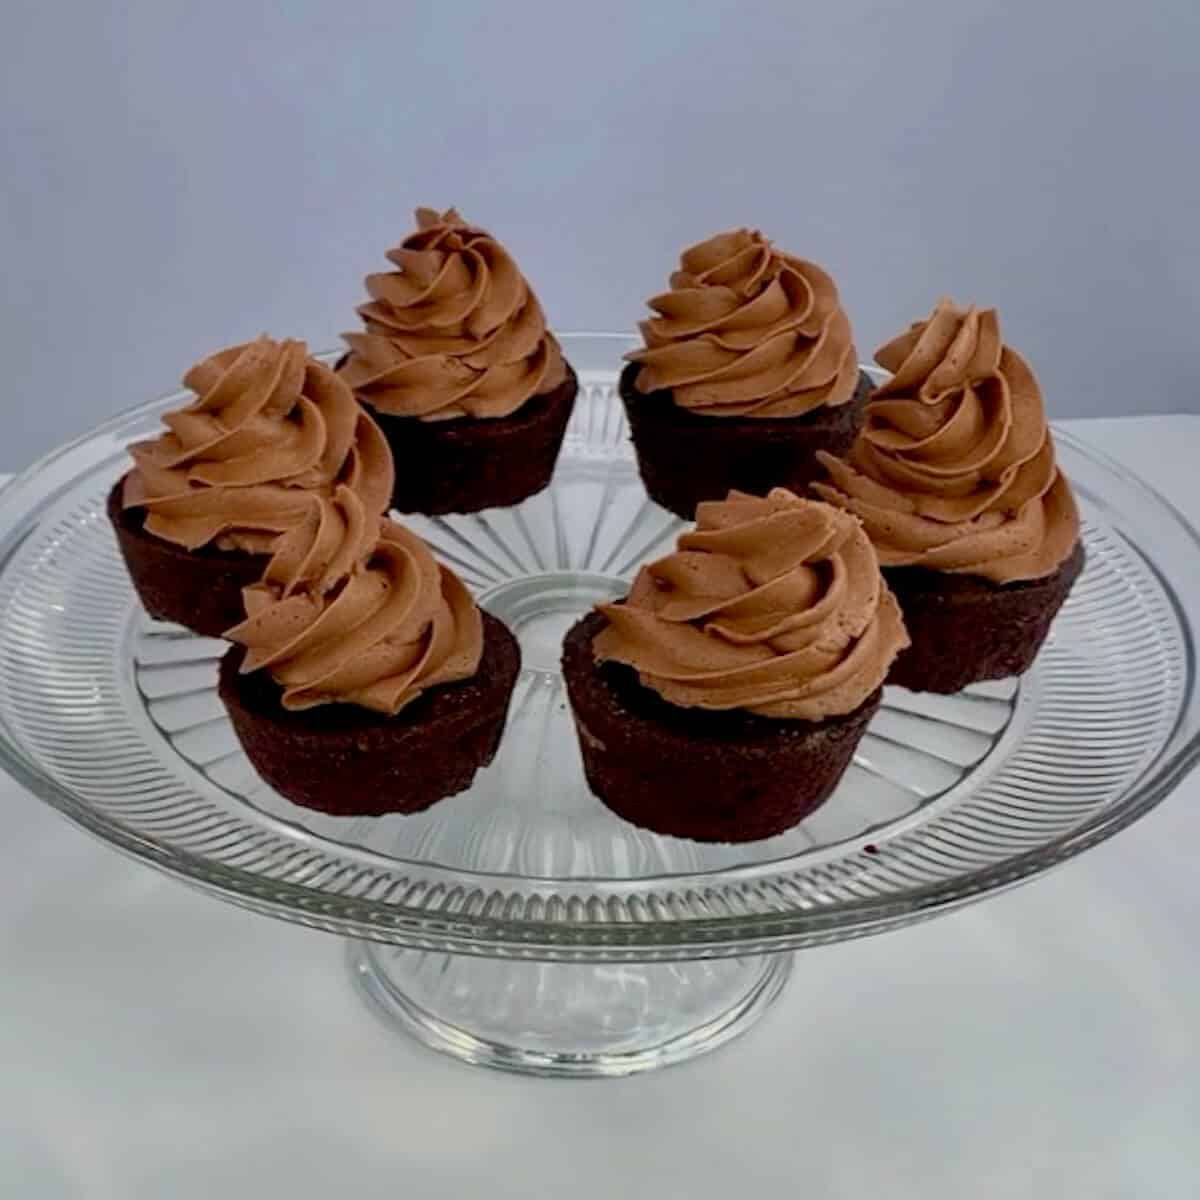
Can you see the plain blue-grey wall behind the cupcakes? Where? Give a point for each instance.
(178, 177)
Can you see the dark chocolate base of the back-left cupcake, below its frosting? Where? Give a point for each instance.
(472, 464)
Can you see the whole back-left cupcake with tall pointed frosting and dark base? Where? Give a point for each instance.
(458, 367)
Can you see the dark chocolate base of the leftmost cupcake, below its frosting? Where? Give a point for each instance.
(200, 590)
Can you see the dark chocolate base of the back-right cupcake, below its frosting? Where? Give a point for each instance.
(686, 458)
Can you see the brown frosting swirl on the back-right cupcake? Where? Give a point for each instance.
(748, 331)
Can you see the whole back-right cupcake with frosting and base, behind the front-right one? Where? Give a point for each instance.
(749, 370)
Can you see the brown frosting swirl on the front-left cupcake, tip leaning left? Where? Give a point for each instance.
(397, 625)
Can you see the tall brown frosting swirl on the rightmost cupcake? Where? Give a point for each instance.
(956, 467)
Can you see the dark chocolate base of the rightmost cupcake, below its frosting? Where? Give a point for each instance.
(965, 629)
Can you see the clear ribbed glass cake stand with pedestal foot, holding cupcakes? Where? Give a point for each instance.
(520, 925)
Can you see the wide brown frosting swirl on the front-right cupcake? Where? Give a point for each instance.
(773, 604)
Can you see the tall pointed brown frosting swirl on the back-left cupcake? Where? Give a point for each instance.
(455, 332)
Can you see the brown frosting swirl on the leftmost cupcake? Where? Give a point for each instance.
(268, 428)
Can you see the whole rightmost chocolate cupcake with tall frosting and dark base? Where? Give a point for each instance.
(956, 482)
